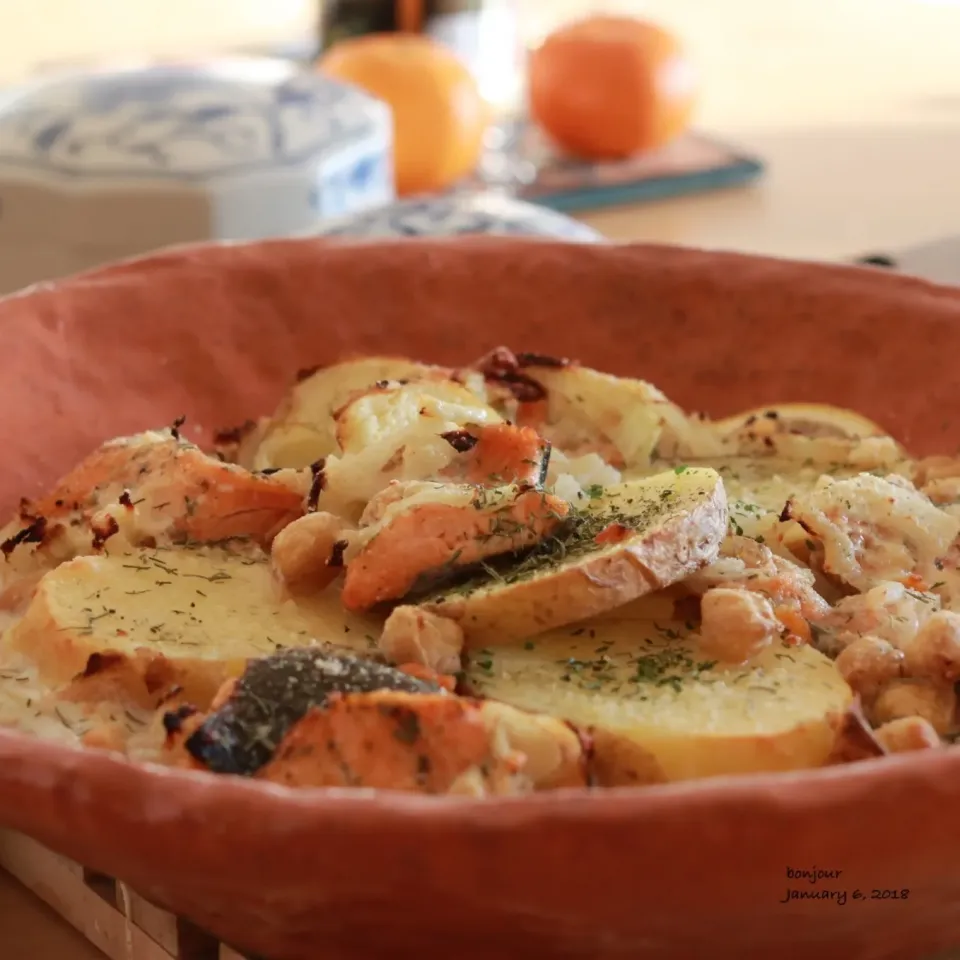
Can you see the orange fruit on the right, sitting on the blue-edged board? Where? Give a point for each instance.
(608, 87)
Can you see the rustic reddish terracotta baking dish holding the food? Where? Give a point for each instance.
(693, 870)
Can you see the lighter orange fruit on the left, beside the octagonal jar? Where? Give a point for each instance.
(439, 115)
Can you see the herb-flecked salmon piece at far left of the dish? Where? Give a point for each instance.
(177, 491)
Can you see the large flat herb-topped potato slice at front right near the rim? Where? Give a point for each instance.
(659, 710)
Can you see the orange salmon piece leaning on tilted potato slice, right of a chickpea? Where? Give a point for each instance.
(439, 528)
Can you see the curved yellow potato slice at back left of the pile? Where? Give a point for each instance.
(301, 431)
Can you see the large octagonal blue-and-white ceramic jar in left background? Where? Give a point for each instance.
(100, 166)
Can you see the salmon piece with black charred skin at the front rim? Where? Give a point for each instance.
(310, 717)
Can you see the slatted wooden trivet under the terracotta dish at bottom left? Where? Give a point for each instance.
(114, 918)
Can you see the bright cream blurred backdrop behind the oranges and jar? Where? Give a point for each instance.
(765, 62)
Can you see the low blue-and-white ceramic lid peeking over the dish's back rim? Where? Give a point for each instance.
(460, 213)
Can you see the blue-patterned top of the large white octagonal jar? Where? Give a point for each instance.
(187, 121)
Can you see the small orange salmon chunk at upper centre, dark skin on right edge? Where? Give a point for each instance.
(496, 454)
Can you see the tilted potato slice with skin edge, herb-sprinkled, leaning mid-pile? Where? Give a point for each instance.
(635, 538)
